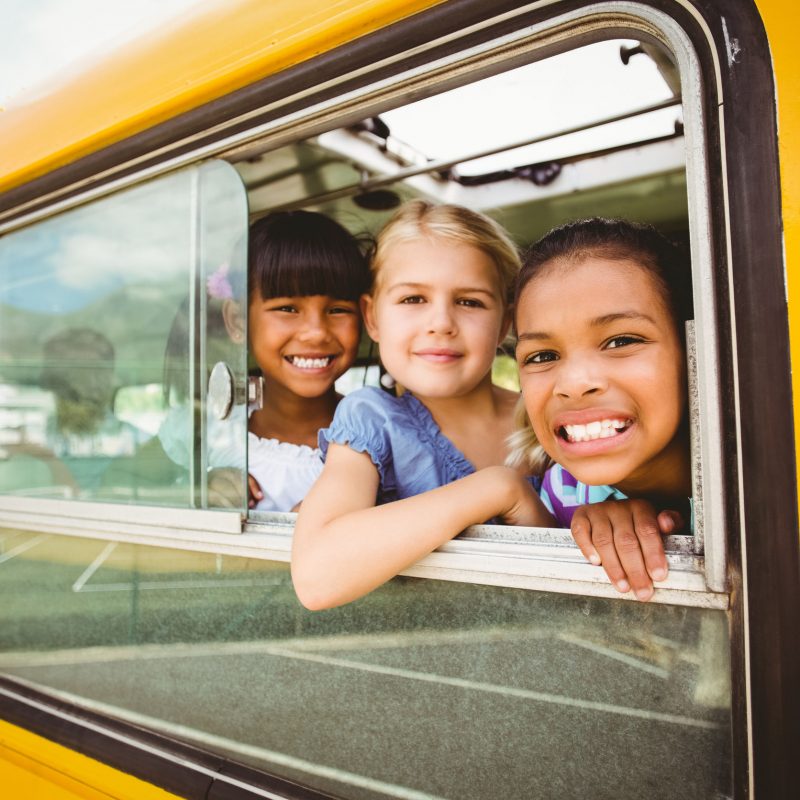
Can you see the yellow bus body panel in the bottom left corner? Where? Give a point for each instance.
(34, 767)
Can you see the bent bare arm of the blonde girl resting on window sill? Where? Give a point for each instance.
(345, 546)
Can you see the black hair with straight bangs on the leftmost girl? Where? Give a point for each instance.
(302, 253)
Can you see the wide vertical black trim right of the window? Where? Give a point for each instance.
(768, 469)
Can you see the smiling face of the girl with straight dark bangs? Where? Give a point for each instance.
(304, 344)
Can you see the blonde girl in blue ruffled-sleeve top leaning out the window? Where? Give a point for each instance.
(400, 475)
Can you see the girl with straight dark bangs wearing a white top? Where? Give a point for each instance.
(306, 274)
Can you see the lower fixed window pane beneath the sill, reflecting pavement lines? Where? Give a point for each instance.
(423, 689)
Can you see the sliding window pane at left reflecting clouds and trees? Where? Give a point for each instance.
(108, 331)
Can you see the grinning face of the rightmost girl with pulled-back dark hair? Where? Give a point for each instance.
(602, 372)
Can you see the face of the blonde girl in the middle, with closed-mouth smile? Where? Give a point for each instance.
(438, 316)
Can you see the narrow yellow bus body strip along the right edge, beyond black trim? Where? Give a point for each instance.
(780, 21)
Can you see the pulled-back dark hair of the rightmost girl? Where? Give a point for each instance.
(617, 240)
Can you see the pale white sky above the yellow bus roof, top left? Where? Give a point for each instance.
(43, 38)
